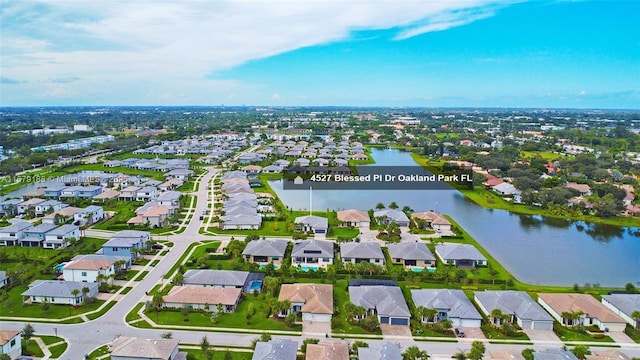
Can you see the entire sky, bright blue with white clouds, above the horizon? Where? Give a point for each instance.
(472, 53)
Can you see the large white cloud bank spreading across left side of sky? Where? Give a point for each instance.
(170, 43)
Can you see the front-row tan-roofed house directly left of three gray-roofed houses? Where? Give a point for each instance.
(314, 301)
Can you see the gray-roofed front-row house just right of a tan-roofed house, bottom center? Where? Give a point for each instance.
(387, 302)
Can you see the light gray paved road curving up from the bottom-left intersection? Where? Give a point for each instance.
(84, 338)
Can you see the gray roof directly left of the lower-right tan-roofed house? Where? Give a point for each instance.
(512, 302)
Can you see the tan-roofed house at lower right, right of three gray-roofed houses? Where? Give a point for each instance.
(591, 311)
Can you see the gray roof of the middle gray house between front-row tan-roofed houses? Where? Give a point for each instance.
(455, 302)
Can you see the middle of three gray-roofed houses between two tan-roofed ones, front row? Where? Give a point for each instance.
(452, 305)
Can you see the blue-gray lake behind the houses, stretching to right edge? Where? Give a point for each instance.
(536, 250)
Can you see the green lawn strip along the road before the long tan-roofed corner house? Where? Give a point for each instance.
(236, 319)
